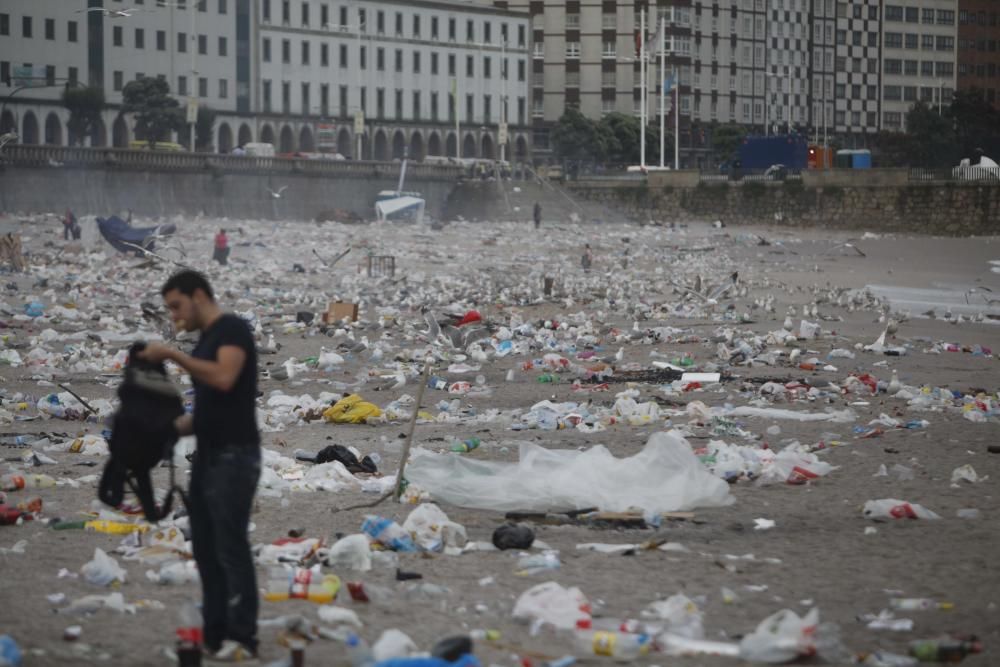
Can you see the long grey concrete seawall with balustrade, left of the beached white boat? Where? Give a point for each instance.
(103, 181)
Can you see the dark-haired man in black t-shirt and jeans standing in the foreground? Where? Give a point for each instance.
(223, 368)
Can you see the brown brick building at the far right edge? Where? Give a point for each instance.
(979, 48)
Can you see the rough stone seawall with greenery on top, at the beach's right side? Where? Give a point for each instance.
(861, 202)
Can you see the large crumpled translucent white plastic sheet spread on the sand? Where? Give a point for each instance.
(664, 477)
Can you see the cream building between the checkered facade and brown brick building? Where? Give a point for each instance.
(918, 57)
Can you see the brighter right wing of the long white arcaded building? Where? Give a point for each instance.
(396, 66)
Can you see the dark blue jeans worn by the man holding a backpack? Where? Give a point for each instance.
(223, 483)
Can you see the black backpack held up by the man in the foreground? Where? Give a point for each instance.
(142, 435)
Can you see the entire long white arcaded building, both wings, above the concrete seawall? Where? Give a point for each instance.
(295, 74)
